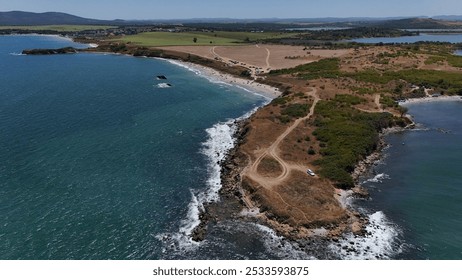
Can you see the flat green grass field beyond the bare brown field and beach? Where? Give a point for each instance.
(157, 39)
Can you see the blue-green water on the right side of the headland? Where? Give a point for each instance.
(418, 185)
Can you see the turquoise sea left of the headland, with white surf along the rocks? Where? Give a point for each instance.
(98, 162)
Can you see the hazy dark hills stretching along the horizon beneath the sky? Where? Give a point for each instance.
(56, 18)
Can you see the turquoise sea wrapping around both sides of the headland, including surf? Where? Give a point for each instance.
(100, 161)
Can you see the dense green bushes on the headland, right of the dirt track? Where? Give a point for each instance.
(347, 135)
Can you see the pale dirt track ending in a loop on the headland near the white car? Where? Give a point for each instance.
(273, 152)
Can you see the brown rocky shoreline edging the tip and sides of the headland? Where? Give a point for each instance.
(233, 198)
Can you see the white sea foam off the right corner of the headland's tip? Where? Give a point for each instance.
(378, 243)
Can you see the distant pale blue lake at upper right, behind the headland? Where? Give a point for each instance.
(451, 38)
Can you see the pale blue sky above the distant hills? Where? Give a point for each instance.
(179, 9)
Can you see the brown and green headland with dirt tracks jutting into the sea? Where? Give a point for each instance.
(328, 115)
